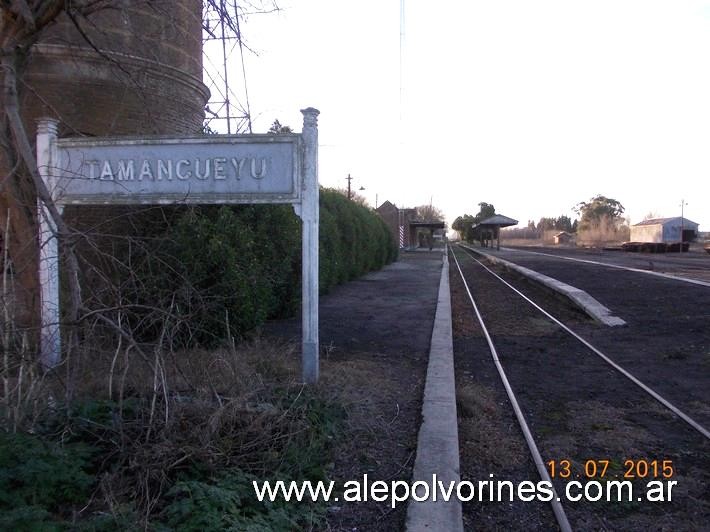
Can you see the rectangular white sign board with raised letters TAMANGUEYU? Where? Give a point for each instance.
(210, 169)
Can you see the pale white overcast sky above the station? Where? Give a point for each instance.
(531, 106)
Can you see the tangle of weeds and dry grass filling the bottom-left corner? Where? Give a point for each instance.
(97, 463)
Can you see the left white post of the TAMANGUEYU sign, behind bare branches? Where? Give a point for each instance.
(48, 271)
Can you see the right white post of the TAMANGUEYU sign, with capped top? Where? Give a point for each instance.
(309, 217)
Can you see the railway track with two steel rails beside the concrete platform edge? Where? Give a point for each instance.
(580, 411)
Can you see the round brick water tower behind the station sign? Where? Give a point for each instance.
(132, 69)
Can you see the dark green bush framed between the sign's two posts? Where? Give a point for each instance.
(215, 272)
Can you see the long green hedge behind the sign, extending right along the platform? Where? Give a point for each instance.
(240, 265)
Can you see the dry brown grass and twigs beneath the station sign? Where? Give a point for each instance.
(155, 415)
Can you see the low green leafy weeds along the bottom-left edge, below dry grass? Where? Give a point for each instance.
(44, 484)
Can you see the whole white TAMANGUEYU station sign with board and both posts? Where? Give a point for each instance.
(209, 169)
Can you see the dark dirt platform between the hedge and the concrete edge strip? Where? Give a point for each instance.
(374, 335)
